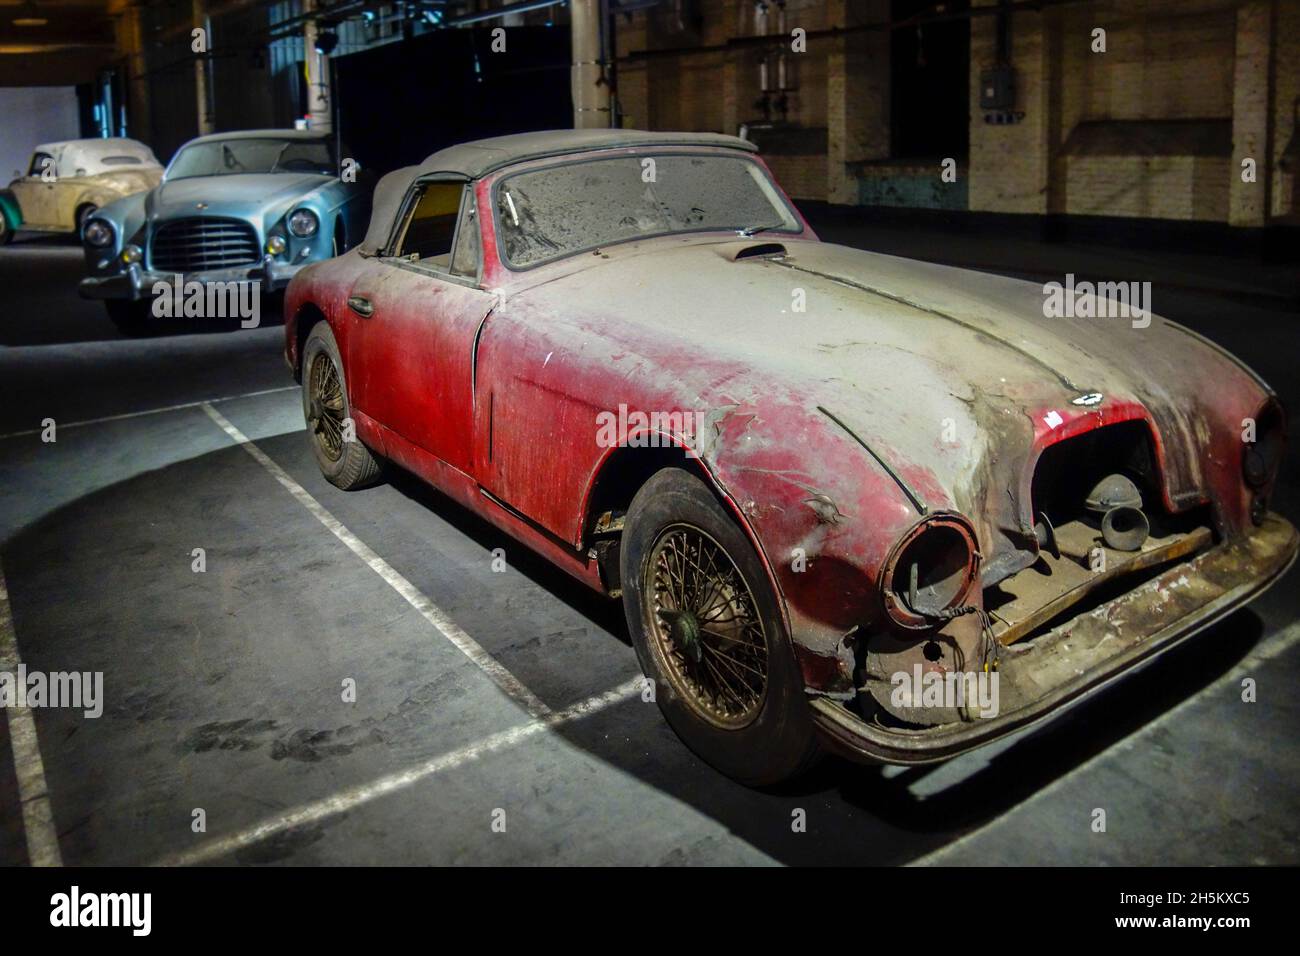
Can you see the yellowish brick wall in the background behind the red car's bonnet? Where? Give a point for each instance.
(1206, 62)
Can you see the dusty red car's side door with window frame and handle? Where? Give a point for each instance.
(414, 315)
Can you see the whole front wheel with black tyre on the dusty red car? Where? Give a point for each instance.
(708, 630)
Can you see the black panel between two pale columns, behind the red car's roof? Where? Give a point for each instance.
(405, 101)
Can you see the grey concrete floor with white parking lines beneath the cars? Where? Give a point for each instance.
(224, 689)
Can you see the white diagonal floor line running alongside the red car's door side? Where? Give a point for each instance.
(431, 612)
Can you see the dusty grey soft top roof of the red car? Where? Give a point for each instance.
(483, 157)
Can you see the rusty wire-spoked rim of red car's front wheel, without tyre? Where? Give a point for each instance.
(705, 626)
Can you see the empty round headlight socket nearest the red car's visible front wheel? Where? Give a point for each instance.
(930, 572)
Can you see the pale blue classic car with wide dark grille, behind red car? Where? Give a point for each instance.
(232, 207)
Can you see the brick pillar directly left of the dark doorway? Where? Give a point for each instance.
(857, 94)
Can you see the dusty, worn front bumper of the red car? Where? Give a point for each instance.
(1043, 678)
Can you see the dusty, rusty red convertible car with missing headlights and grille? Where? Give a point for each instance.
(811, 473)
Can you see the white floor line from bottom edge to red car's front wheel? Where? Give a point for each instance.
(363, 794)
